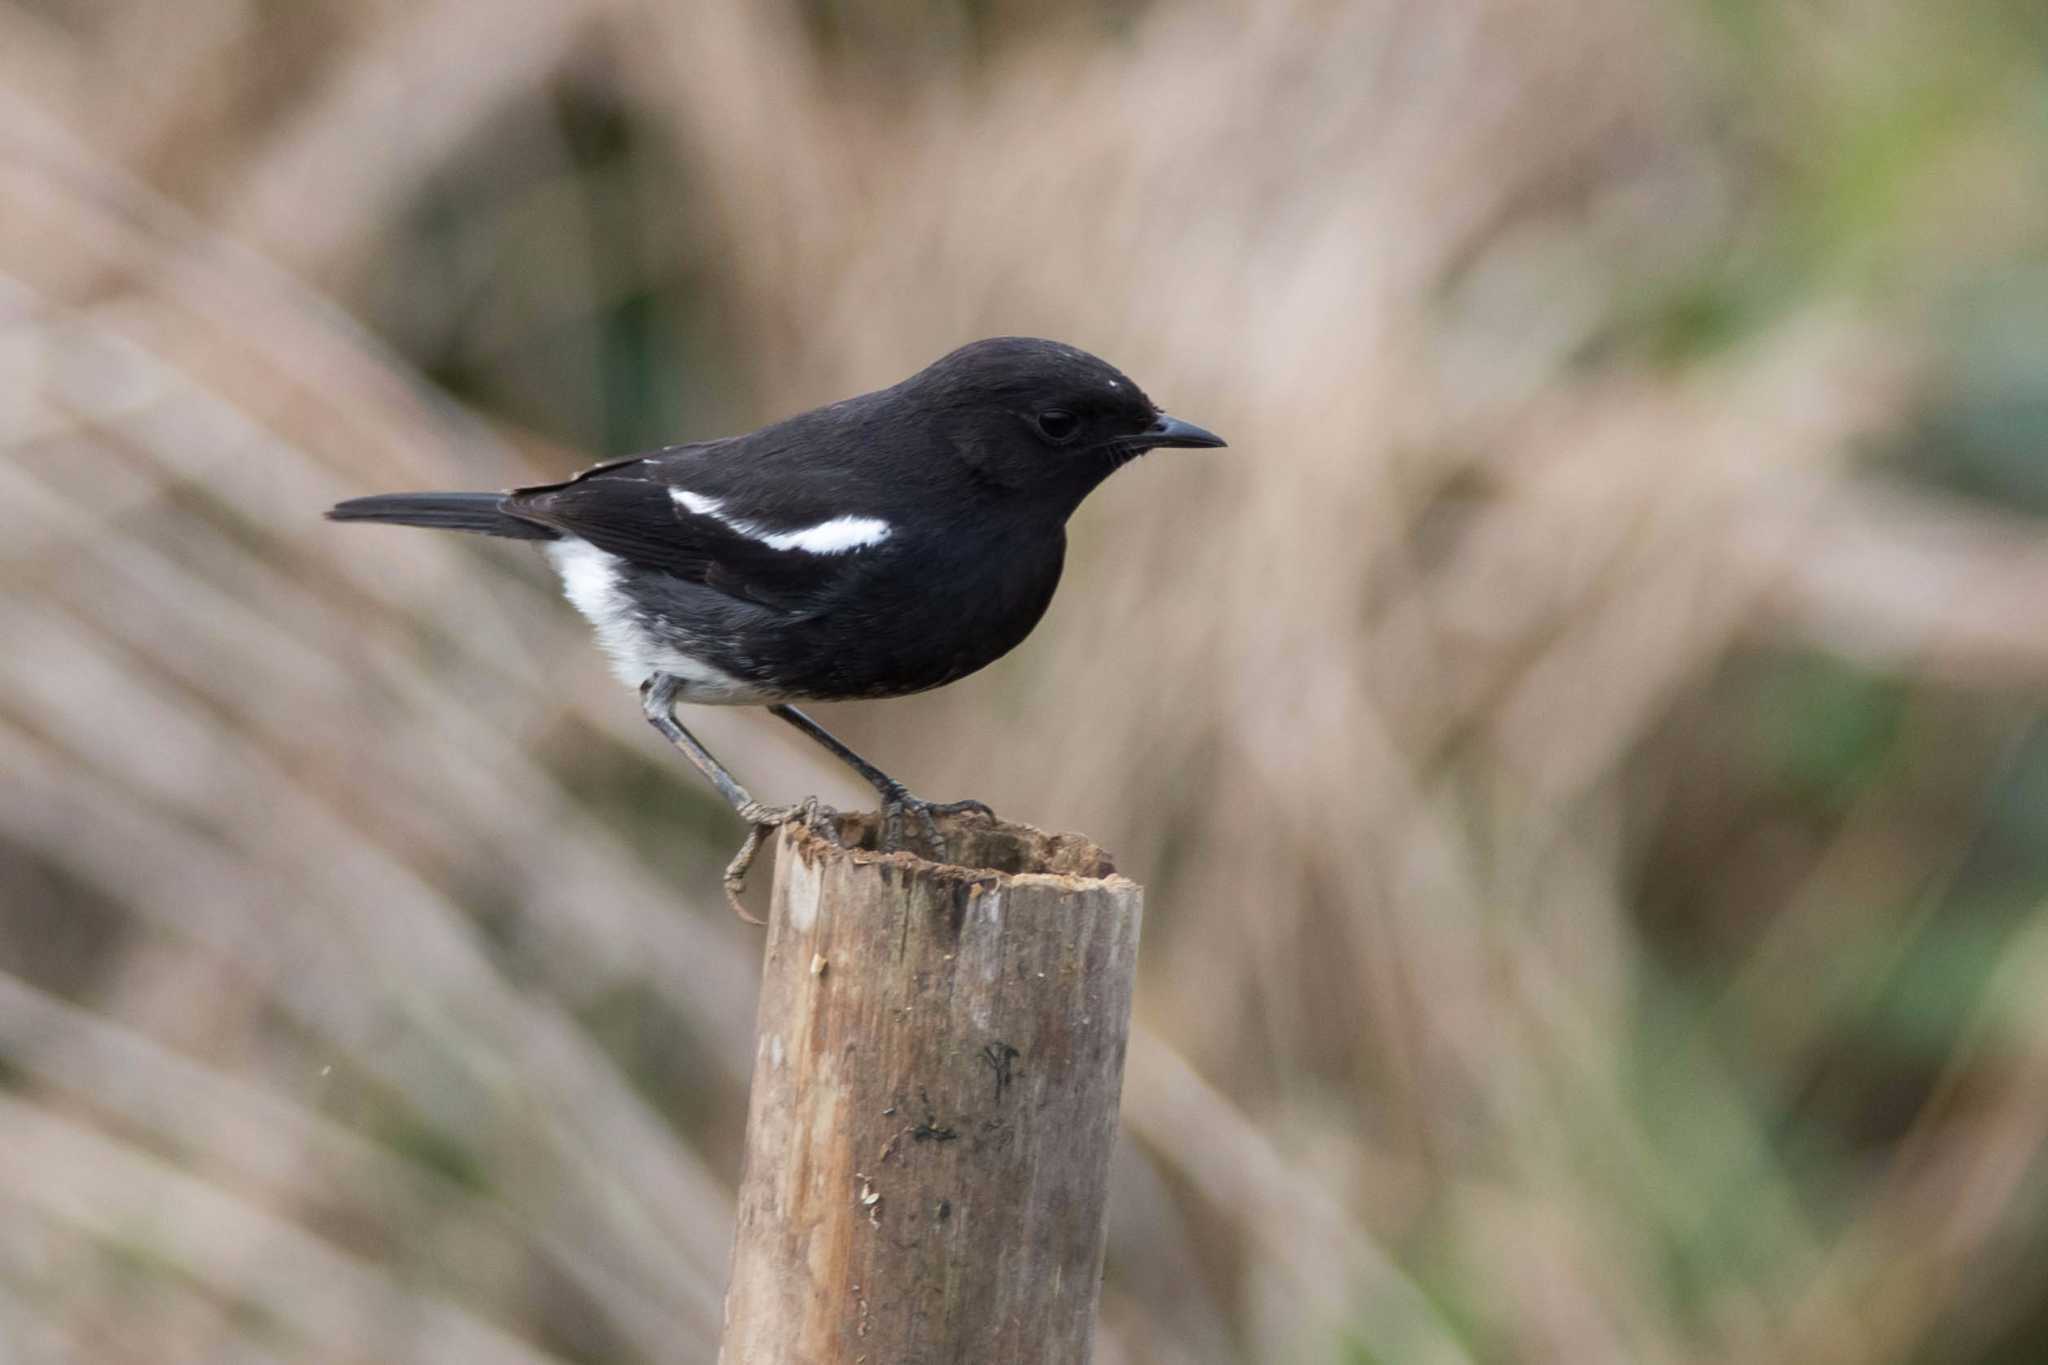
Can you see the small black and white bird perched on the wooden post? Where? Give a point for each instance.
(873, 547)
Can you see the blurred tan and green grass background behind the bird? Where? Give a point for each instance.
(1584, 742)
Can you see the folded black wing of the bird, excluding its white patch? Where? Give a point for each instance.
(630, 509)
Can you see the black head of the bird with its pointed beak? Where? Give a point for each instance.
(1043, 421)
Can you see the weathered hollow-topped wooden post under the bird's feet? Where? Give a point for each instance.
(937, 1071)
